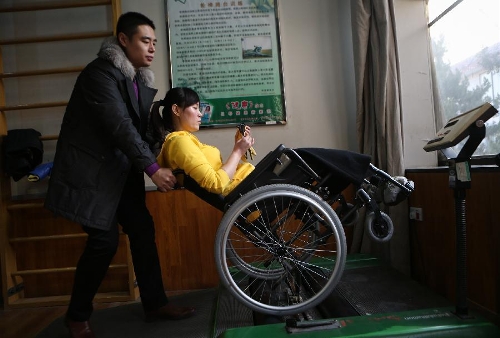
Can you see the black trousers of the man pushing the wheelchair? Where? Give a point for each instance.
(136, 221)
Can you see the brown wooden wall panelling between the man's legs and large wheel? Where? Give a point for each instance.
(185, 236)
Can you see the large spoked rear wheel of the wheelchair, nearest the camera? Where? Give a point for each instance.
(280, 249)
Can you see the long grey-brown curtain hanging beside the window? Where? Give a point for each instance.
(379, 117)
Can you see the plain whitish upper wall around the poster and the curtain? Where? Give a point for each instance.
(318, 67)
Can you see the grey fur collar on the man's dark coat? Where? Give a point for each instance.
(112, 52)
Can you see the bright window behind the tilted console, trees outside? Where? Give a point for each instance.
(465, 38)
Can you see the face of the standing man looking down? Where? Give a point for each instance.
(140, 49)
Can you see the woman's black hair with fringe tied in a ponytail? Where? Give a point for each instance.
(161, 124)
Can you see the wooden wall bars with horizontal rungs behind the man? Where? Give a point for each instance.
(10, 275)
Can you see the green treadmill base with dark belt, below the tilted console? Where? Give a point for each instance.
(373, 300)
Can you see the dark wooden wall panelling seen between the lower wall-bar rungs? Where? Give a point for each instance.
(55, 253)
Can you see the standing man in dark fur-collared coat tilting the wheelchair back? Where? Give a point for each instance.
(97, 179)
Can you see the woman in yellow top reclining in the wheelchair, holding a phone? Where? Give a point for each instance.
(180, 118)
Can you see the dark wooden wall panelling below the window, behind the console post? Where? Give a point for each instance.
(433, 240)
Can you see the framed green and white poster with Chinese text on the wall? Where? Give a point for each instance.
(229, 53)
